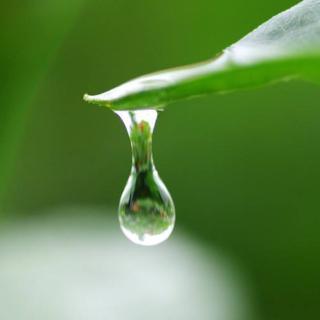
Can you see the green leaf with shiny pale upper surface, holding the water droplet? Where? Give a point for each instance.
(285, 47)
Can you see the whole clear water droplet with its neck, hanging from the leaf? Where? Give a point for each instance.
(146, 210)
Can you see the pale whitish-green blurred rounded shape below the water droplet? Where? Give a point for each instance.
(73, 263)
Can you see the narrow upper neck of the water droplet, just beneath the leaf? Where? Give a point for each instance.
(140, 125)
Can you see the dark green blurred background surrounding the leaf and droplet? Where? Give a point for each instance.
(243, 169)
